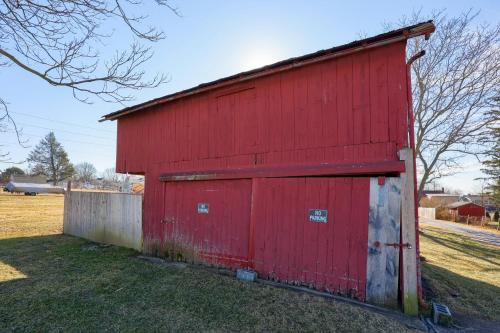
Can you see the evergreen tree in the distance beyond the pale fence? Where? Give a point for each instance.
(50, 159)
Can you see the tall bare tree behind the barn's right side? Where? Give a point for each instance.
(452, 87)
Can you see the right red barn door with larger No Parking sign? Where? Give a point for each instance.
(290, 248)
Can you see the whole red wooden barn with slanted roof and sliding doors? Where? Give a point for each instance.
(291, 169)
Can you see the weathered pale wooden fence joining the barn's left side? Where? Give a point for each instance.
(113, 218)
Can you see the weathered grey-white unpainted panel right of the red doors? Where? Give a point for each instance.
(383, 241)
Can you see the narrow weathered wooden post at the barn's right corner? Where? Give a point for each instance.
(408, 234)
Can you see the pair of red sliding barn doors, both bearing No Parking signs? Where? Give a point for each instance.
(265, 225)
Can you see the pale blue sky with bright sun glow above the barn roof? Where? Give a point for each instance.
(211, 39)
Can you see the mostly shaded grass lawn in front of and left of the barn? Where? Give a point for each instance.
(58, 283)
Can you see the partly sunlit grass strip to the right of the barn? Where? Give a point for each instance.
(461, 272)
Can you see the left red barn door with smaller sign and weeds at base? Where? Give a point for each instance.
(219, 237)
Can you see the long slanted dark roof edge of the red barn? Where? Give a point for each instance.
(424, 28)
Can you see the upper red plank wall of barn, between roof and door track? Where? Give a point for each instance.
(348, 109)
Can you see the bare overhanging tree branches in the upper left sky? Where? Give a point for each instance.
(58, 41)
